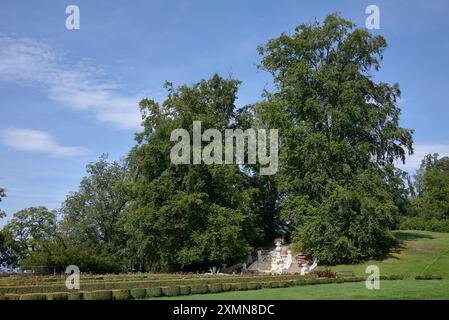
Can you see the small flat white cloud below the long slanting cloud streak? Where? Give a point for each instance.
(37, 141)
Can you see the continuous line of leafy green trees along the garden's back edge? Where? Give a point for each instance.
(337, 194)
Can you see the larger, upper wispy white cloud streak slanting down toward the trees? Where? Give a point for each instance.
(80, 87)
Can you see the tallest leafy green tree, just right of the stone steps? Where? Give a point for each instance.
(339, 130)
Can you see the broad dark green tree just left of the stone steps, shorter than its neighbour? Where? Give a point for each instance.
(187, 216)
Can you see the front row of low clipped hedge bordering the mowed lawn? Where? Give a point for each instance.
(171, 291)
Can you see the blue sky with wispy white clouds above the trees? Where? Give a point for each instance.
(67, 96)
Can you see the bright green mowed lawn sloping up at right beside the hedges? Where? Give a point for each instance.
(419, 253)
